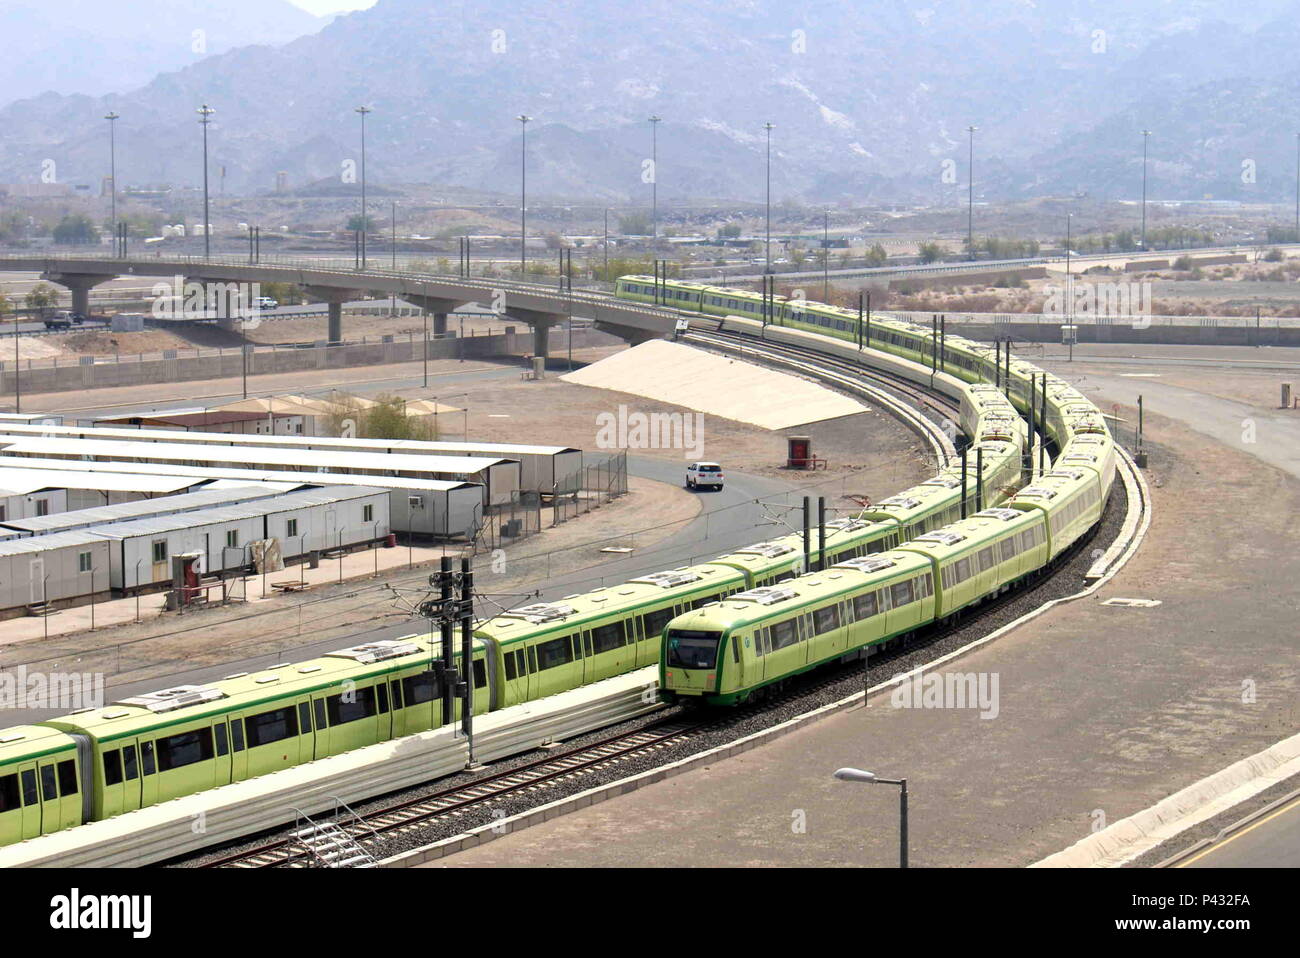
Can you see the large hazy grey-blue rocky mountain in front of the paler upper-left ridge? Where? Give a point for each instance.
(870, 101)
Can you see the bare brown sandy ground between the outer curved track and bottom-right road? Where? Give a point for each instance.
(1103, 712)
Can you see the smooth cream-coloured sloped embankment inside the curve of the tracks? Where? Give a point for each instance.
(714, 385)
